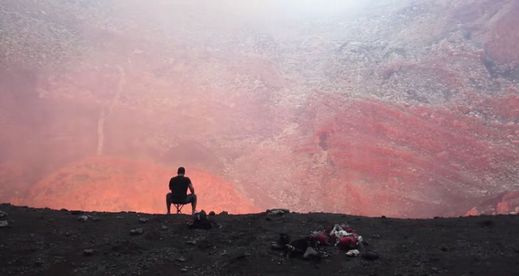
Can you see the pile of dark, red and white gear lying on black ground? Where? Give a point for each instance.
(314, 245)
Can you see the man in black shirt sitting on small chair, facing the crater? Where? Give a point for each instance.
(178, 186)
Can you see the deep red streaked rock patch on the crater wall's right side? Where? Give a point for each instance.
(433, 159)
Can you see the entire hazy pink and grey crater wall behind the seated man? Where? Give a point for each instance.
(398, 109)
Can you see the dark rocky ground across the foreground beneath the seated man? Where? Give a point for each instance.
(49, 242)
